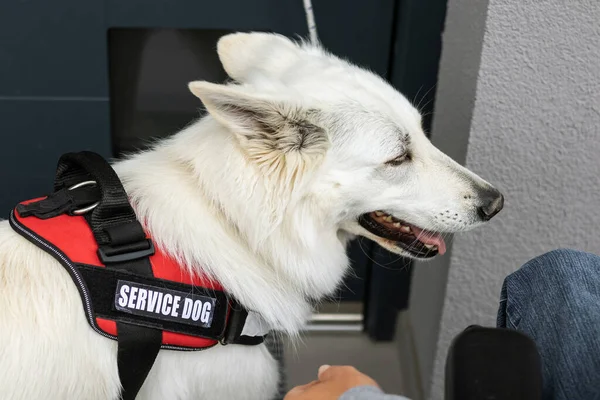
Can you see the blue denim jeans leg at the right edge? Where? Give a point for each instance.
(555, 299)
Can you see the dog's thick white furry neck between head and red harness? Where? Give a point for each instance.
(204, 203)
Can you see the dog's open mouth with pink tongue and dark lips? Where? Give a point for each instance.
(418, 242)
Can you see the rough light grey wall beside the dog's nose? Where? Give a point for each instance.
(534, 133)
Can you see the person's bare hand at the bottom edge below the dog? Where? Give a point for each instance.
(331, 384)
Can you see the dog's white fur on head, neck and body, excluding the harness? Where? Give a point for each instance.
(262, 195)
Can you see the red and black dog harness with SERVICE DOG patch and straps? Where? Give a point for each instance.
(131, 292)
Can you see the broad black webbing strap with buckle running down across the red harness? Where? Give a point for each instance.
(122, 245)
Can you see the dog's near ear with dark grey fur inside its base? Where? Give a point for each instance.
(270, 130)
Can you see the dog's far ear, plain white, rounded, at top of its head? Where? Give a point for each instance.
(244, 54)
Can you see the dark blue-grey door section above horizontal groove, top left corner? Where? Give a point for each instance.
(52, 48)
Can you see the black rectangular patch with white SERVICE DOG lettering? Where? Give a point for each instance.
(164, 304)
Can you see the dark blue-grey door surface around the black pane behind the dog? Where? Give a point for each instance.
(54, 94)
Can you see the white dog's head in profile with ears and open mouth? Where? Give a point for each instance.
(339, 139)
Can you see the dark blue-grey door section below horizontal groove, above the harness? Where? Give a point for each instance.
(36, 133)
